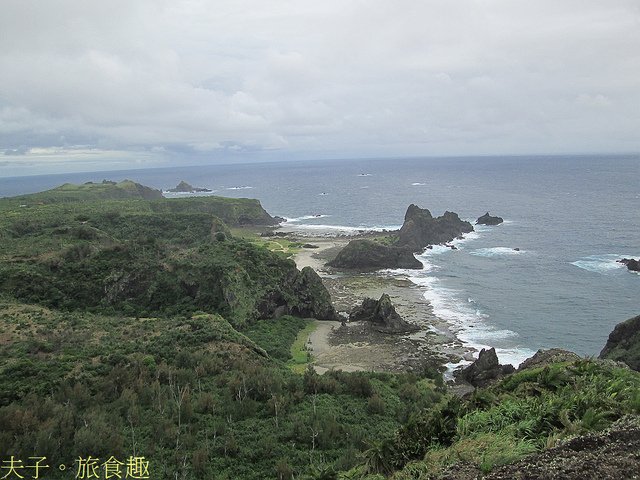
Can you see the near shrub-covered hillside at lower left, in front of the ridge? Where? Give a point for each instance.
(194, 396)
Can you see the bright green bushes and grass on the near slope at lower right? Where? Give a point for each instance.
(526, 412)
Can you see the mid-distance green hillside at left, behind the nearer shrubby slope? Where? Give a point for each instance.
(144, 258)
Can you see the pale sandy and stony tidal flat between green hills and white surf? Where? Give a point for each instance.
(353, 346)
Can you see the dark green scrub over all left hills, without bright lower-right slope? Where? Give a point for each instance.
(137, 325)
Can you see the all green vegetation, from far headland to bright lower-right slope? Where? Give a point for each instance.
(137, 326)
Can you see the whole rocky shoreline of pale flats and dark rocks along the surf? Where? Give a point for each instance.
(415, 338)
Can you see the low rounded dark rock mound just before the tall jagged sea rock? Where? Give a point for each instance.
(367, 254)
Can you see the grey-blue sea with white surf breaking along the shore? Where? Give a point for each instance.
(570, 216)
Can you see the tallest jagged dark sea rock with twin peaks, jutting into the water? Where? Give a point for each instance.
(420, 228)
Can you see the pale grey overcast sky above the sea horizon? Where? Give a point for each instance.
(96, 85)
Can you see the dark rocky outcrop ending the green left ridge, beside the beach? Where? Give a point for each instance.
(301, 294)
